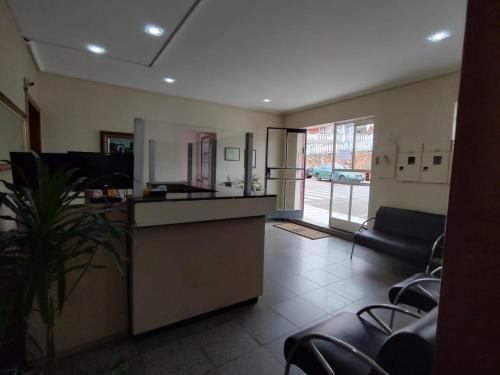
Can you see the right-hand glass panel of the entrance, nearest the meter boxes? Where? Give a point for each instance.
(351, 174)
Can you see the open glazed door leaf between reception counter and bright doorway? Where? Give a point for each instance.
(285, 170)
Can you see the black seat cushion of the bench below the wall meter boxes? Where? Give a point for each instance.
(410, 249)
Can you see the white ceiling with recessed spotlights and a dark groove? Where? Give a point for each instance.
(237, 52)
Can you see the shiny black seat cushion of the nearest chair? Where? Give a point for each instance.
(344, 326)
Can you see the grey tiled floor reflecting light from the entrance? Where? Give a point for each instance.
(305, 282)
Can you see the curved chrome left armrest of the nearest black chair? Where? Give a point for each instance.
(335, 341)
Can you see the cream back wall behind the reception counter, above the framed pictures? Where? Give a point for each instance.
(74, 111)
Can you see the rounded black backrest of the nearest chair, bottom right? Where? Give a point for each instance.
(410, 350)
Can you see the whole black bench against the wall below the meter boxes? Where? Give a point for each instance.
(406, 234)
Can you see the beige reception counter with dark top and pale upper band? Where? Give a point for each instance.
(192, 253)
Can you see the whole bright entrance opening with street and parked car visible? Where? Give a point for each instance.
(338, 171)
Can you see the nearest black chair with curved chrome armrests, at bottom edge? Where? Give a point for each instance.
(349, 344)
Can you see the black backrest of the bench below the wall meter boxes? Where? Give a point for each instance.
(415, 224)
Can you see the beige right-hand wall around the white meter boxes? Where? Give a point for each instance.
(418, 112)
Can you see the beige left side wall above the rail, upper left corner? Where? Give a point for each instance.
(16, 62)
